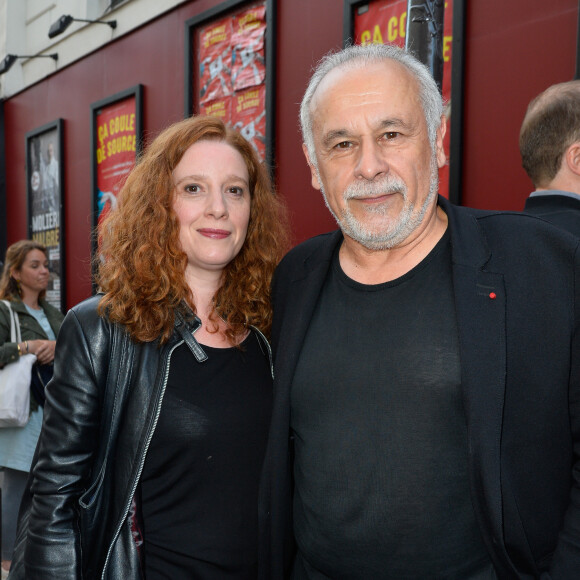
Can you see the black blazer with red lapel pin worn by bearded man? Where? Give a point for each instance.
(517, 295)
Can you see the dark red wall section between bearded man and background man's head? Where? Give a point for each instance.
(513, 51)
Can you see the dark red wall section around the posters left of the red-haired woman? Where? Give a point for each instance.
(152, 56)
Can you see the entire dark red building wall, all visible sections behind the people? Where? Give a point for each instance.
(512, 53)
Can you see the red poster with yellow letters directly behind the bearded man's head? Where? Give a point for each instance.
(385, 21)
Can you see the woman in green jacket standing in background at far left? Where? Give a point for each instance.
(23, 283)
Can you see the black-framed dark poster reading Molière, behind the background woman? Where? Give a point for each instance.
(44, 186)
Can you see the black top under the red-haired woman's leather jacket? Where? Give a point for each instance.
(199, 486)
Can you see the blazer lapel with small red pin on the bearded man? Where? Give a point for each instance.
(480, 304)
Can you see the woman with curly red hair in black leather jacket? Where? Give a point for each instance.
(156, 419)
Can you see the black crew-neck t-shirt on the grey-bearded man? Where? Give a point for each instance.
(381, 467)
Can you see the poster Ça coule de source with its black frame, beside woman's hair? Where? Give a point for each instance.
(116, 133)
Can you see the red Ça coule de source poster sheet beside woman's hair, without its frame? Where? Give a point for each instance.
(115, 153)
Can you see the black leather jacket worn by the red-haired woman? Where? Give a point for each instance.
(102, 409)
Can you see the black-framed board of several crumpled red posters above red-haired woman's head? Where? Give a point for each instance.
(229, 59)
